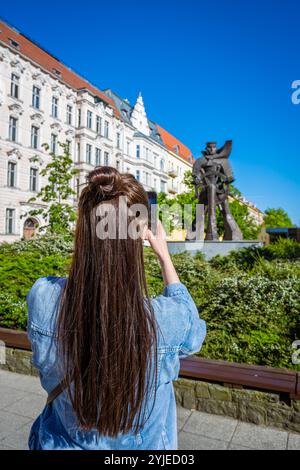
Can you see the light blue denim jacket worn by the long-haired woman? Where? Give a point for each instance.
(181, 333)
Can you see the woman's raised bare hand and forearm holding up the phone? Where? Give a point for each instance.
(159, 245)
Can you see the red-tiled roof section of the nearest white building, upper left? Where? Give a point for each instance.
(48, 62)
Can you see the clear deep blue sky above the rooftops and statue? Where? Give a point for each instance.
(208, 70)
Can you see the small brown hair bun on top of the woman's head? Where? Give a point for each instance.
(105, 179)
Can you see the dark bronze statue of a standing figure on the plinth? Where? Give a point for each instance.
(212, 176)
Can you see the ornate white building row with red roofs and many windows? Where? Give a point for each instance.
(43, 101)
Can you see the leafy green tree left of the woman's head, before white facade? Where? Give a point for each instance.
(59, 213)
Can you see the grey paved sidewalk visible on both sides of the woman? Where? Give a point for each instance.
(22, 398)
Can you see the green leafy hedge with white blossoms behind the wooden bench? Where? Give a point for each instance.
(250, 299)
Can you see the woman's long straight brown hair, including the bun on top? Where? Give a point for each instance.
(106, 326)
